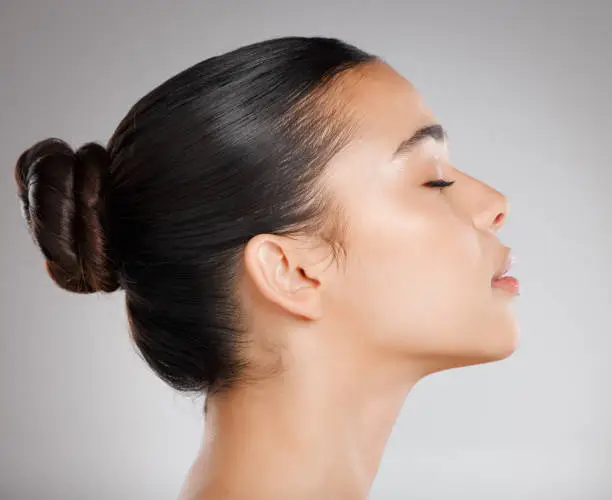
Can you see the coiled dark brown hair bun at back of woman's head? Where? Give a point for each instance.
(62, 197)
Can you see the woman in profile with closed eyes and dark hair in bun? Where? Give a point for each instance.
(294, 242)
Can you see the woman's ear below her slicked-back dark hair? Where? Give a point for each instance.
(278, 268)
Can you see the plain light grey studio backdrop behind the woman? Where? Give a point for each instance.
(524, 90)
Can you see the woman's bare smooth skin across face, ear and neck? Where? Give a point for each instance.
(411, 296)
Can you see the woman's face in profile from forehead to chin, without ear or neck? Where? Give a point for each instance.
(416, 280)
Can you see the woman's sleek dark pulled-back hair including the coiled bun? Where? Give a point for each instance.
(229, 148)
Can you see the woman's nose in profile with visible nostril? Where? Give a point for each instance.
(488, 207)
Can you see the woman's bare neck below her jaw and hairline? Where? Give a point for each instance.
(318, 430)
